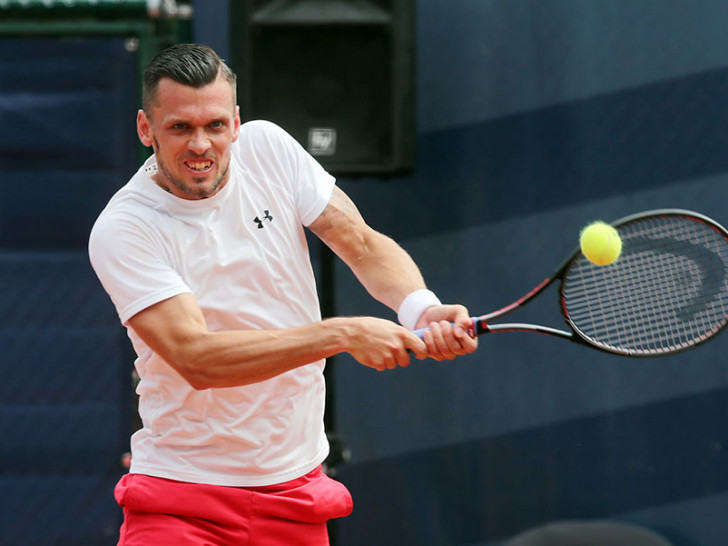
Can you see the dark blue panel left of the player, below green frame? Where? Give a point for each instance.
(67, 142)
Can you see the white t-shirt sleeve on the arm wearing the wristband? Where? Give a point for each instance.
(272, 150)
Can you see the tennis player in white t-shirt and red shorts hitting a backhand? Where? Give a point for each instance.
(203, 253)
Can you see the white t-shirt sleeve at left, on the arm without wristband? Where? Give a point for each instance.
(131, 267)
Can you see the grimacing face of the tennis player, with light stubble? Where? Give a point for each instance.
(191, 131)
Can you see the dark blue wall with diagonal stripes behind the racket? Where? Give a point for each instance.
(536, 117)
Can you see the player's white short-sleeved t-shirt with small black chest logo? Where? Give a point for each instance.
(243, 254)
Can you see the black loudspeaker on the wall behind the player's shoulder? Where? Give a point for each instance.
(336, 74)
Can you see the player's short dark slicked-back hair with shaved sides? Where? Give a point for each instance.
(189, 64)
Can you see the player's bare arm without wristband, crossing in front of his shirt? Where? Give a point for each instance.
(176, 330)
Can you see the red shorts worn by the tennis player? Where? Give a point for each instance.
(166, 512)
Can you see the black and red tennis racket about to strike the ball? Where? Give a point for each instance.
(667, 291)
